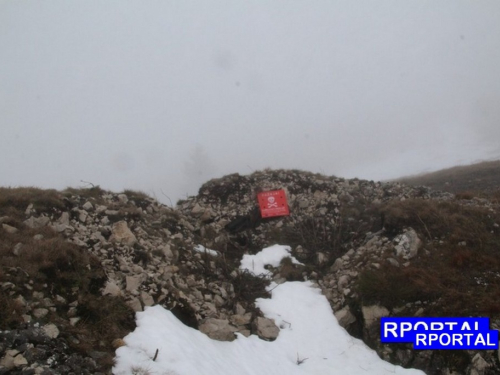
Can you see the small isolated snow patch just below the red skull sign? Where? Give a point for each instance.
(269, 256)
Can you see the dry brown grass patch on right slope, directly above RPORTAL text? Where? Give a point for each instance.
(459, 277)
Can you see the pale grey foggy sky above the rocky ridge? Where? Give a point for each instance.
(163, 95)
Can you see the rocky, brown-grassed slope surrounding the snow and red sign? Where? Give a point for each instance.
(375, 249)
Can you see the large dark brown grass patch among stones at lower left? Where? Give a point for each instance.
(56, 267)
